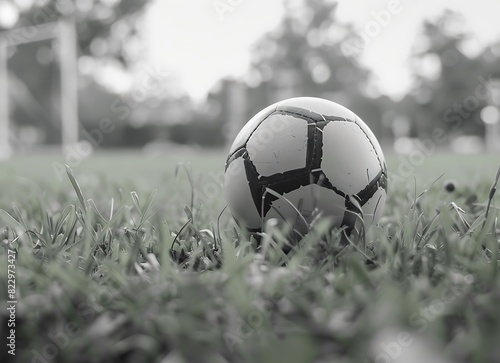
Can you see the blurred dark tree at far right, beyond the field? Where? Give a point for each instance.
(451, 79)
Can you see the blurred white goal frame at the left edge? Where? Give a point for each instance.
(64, 31)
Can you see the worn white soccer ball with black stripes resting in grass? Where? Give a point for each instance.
(305, 158)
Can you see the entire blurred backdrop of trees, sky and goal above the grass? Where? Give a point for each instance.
(165, 76)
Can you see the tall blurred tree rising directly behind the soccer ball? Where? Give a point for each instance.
(304, 56)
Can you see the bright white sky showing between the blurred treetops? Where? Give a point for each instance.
(200, 41)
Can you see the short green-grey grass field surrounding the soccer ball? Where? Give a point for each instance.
(129, 259)
